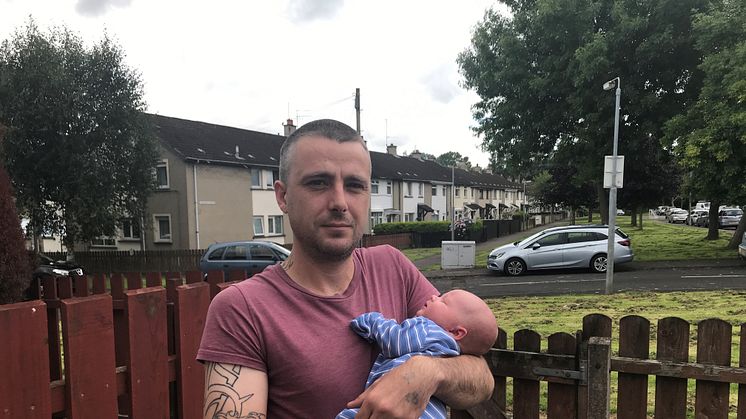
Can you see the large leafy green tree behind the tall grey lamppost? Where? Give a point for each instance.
(539, 75)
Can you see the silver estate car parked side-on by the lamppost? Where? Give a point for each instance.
(581, 246)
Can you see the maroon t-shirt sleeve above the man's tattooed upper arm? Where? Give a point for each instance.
(230, 335)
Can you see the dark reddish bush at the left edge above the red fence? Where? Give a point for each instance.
(15, 274)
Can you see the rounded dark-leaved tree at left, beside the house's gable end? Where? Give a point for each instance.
(79, 149)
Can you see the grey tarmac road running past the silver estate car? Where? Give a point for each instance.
(626, 278)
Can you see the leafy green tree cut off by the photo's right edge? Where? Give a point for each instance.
(710, 137)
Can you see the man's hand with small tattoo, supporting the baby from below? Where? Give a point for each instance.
(400, 393)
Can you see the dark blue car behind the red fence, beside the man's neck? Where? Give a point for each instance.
(253, 256)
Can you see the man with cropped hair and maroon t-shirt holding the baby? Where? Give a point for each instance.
(280, 343)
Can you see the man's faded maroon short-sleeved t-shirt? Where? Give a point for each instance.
(314, 362)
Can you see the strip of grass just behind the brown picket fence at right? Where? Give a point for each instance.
(547, 315)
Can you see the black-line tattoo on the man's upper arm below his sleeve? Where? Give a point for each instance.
(222, 401)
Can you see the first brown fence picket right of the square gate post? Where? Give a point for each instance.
(634, 342)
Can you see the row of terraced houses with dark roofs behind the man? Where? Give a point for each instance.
(215, 184)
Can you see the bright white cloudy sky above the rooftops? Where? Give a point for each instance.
(255, 64)
